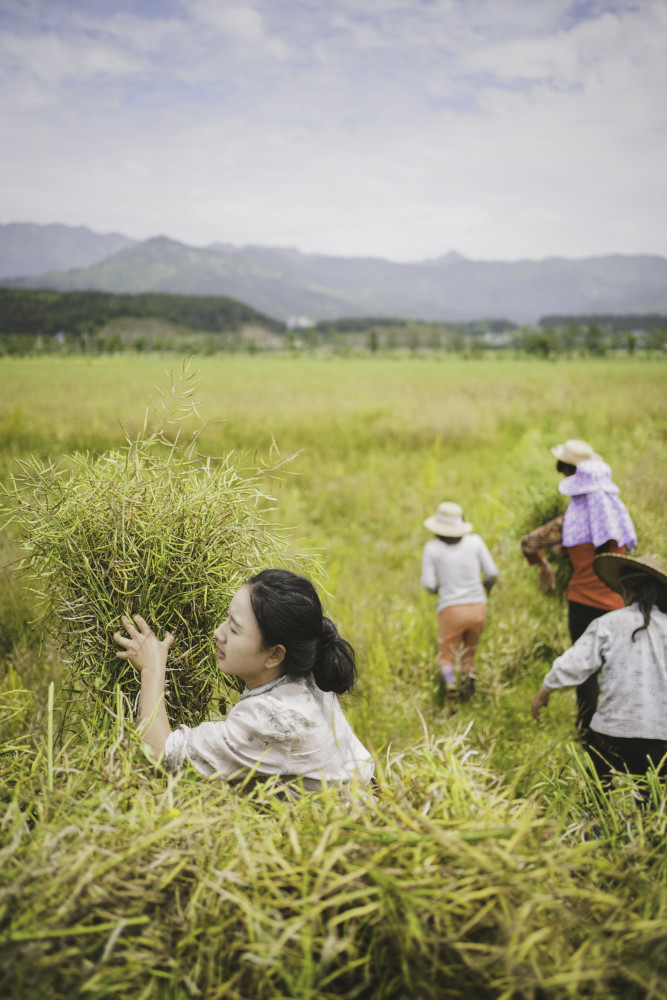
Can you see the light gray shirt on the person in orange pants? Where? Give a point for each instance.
(458, 573)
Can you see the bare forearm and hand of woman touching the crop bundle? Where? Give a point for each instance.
(148, 655)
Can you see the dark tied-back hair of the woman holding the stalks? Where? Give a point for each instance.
(289, 613)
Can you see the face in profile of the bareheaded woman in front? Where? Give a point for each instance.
(239, 645)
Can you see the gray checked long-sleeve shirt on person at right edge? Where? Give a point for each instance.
(633, 678)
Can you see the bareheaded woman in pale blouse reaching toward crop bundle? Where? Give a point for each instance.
(288, 721)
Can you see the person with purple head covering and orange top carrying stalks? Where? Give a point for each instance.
(596, 521)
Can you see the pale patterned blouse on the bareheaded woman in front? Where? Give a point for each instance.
(286, 727)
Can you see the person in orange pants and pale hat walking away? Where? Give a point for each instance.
(458, 567)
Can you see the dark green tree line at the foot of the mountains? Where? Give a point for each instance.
(44, 321)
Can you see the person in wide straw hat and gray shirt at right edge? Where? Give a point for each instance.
(629, 647)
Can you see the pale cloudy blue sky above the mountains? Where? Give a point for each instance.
(402, 129)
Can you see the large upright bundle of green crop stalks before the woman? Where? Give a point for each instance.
(154, 528)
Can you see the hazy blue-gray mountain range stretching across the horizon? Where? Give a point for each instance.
(285, 282)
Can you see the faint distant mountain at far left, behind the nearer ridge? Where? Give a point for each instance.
(27, 249)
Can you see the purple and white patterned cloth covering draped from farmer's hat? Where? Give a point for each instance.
(595, 513)
